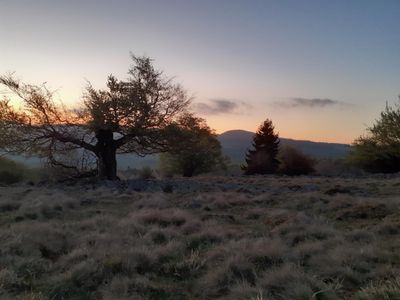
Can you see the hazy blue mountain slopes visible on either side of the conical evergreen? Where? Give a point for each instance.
(236, 142)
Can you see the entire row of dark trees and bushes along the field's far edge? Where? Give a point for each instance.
(148, 113)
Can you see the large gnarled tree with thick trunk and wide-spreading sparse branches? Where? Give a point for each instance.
(130, 116)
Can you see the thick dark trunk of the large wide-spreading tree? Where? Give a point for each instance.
(106, 155)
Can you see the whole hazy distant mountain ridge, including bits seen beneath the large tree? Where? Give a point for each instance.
(234, 144)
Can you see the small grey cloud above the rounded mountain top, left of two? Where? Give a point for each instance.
(219, 106)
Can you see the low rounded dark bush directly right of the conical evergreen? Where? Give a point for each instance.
(293, 162)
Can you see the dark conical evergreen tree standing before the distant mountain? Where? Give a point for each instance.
(263, 158)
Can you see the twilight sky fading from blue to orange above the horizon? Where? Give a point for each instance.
(320, 70)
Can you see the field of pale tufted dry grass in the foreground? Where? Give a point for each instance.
(203, 238)
